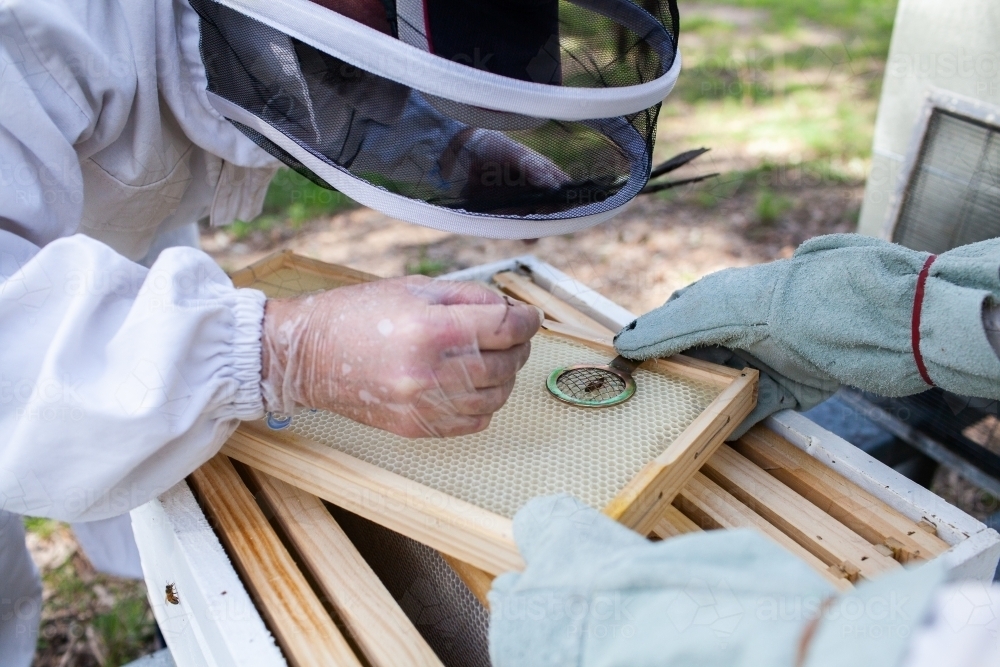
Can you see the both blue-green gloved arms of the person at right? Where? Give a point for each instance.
(845, 309)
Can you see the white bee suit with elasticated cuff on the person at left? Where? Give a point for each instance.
(116, 380)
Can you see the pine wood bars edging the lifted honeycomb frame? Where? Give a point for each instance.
(455, 527)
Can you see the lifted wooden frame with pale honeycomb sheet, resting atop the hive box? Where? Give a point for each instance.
(459, 495)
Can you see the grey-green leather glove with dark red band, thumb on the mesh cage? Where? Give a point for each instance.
(840, 311)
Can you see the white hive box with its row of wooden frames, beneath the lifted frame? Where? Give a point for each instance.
(772, 480)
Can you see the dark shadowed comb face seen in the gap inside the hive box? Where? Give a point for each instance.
(442, 608)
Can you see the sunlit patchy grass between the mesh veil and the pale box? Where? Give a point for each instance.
(785, 92)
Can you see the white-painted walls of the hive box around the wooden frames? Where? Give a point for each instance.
(216, 623)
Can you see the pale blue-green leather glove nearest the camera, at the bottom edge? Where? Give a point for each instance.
(595, 594)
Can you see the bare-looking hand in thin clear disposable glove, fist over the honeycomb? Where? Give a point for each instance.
(412, 356)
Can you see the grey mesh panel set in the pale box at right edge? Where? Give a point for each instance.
(953, 197)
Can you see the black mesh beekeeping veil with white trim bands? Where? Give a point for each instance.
(501, 118)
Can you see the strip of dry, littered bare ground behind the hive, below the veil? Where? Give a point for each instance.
(655, 247)
